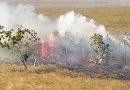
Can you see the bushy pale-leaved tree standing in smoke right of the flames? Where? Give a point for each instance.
(100, 48)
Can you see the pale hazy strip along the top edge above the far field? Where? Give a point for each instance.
(72, 3)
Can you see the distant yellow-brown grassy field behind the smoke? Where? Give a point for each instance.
(116, 20)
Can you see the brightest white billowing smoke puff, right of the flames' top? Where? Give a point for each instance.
(79, 26)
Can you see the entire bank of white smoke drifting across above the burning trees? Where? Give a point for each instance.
(79, 26)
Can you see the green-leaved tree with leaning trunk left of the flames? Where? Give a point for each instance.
(18, 41)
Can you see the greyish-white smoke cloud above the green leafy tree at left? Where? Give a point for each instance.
(12, 17)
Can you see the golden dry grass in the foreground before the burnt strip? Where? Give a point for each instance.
(13, 77)
